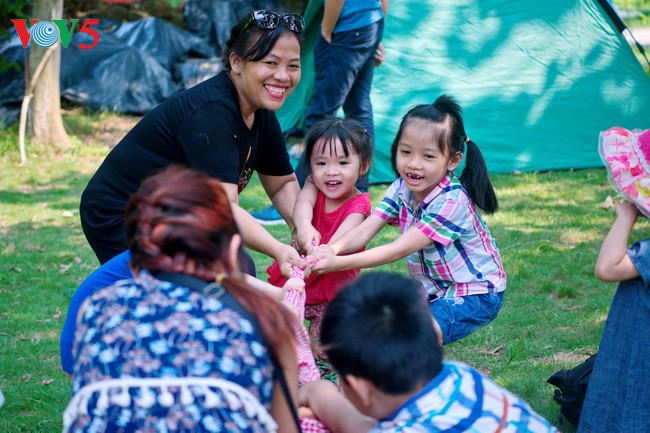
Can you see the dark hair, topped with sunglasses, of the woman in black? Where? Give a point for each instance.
(251, 42)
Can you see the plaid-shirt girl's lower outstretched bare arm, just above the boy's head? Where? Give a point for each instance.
(407, 243)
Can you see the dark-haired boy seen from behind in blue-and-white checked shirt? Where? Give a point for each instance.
(380, 338)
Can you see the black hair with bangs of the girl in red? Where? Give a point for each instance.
(352, 135)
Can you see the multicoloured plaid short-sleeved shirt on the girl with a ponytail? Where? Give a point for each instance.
(463, 258)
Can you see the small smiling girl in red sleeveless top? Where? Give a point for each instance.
(339, 151)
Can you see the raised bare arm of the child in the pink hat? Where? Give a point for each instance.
(613, 263)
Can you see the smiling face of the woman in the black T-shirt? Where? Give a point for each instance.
(266, 83)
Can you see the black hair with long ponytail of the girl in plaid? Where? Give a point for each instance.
(448, 131)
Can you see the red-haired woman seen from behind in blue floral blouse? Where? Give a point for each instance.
(186, 345)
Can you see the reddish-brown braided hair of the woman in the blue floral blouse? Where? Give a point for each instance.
(180, 220)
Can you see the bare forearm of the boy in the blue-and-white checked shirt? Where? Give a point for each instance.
(333, 409)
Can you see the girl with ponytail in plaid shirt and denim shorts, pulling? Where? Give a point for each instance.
(447, 245)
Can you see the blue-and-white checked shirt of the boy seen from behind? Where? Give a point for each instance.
(460, 399)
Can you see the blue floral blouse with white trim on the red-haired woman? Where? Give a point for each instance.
(141, 335)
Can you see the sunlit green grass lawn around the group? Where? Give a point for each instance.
(549, 229)
